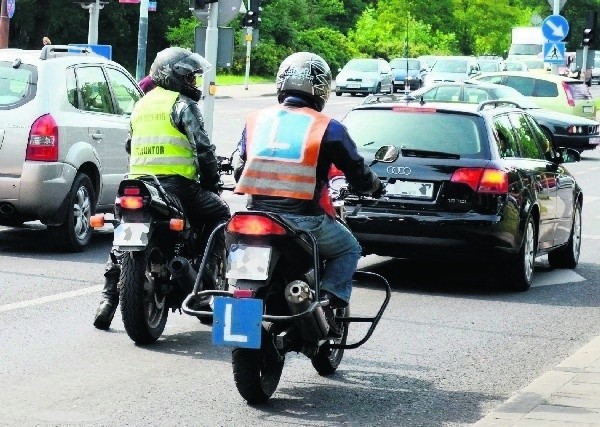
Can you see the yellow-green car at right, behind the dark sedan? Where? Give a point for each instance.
(558, 93)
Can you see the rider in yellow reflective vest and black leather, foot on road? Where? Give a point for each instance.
(168, 140)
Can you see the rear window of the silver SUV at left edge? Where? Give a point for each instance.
(17, 85)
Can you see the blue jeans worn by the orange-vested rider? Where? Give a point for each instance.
(338, 246)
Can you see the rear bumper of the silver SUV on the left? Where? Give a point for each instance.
(39, 193)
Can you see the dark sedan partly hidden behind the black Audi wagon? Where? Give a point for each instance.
(563, 130)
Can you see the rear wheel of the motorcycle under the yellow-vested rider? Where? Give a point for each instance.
(143, 308)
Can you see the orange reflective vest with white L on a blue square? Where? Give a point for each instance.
(282, 150)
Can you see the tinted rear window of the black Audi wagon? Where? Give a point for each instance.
(431, 131)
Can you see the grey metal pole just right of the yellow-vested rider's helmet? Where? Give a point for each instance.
(208, 81)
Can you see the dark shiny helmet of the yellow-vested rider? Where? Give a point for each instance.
(176, 68)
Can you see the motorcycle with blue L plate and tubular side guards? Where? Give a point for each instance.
(273, 303)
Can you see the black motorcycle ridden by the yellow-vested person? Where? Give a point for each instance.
(160, 248)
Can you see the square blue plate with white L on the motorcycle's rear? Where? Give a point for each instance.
(237, 322)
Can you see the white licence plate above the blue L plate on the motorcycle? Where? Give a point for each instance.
(248, 262)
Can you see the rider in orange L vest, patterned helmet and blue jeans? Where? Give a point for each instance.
(286, 153)
